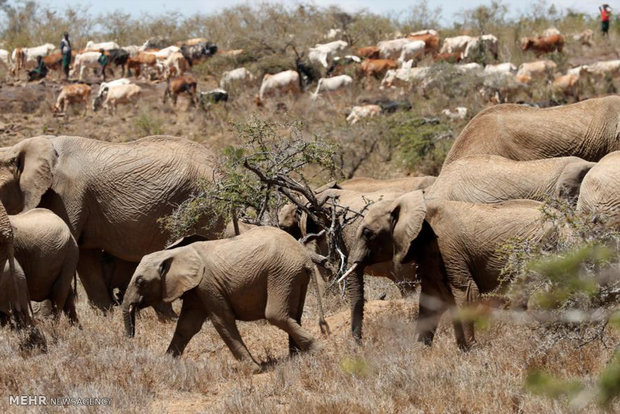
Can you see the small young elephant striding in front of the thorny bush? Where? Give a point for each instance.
(261, 274)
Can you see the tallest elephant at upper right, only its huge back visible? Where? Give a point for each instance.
(589, 129)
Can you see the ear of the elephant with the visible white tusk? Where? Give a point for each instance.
(407, 217)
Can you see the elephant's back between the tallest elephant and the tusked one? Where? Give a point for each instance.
(493, 179)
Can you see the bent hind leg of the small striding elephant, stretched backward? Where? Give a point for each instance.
(282, 311)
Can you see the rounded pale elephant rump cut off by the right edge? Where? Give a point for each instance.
(600, 190)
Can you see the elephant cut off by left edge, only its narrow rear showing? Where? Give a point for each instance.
(14, 298)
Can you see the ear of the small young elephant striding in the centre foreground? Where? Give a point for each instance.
(180, 272)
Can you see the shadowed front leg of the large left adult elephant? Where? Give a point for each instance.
(91, 274)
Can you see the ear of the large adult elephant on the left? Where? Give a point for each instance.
(36, 162)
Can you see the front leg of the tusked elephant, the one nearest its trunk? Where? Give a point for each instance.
(434, 301)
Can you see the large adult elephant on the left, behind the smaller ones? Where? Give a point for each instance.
(110, 194)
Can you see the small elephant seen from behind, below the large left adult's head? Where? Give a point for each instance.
(49, 253)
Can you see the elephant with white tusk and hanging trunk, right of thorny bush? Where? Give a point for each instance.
(455, 246)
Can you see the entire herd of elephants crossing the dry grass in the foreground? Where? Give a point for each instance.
(73, 205)
